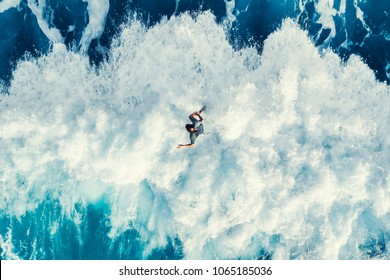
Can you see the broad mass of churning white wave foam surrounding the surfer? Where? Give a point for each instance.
(290, 166)
